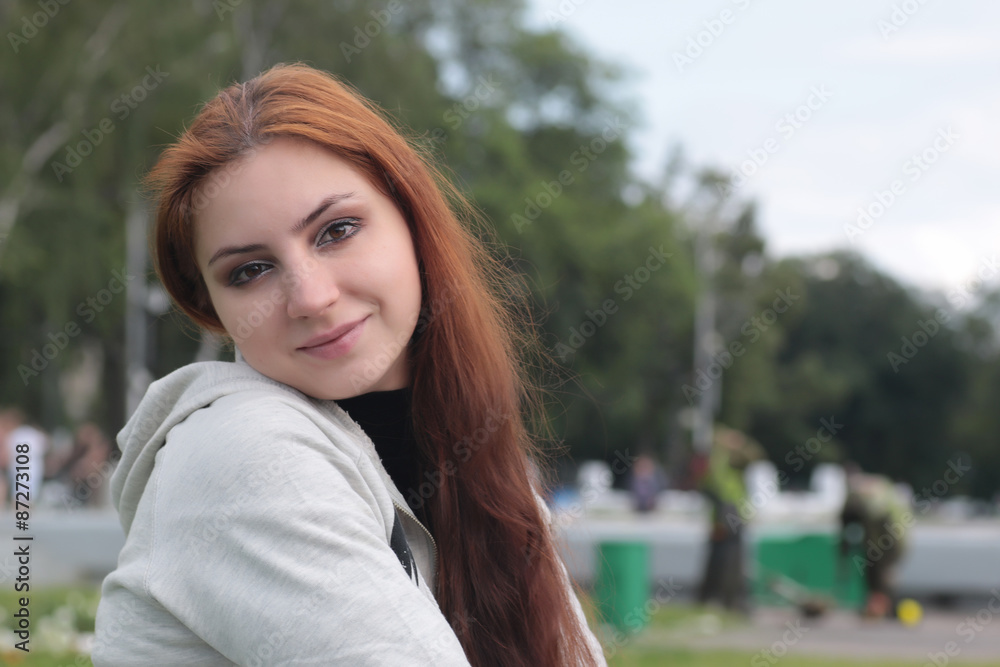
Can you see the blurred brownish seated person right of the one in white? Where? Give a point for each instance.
(85, 467)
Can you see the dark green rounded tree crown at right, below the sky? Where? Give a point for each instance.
(832, 360)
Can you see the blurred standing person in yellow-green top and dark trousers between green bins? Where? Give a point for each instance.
(724, 578)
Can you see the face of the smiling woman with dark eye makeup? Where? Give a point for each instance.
(311, 270)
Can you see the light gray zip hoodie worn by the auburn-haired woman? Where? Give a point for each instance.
(262, 529)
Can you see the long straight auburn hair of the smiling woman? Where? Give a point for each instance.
(501, 584)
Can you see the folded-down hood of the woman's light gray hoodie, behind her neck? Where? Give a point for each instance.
(169, 401)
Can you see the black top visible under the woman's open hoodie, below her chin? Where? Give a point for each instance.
(385, 417)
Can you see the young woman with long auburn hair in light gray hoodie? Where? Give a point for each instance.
(355, 488)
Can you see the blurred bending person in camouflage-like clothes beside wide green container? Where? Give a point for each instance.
(875, 520)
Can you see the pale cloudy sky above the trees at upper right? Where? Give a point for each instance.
(822, 112)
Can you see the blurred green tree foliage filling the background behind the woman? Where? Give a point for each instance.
(535, 131)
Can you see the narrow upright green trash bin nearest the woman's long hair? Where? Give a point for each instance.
(622, 587)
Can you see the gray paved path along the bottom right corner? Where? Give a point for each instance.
(971, 635)
